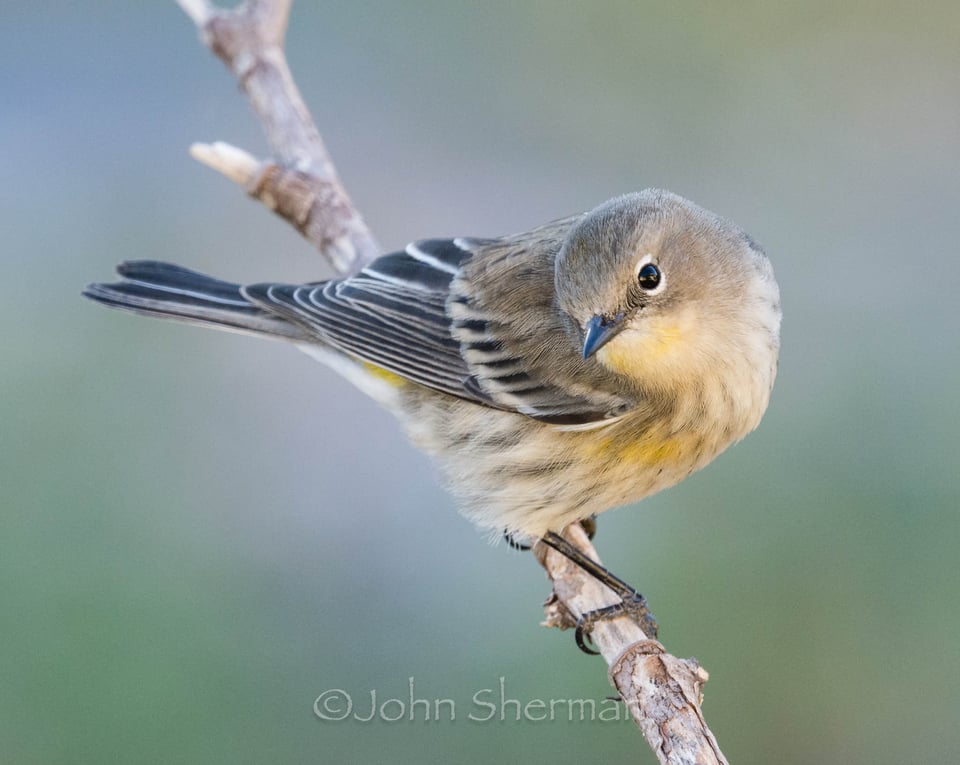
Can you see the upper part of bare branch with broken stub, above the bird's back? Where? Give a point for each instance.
(302, 186)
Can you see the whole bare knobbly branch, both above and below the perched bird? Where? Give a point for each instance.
(662, 692)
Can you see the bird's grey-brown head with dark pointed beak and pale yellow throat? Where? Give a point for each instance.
(664, 292)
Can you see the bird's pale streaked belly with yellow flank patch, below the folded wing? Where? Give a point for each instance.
(510, 473)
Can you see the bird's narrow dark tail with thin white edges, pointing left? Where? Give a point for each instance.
(162, 289)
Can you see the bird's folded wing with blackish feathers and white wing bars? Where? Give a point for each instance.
(419, 314)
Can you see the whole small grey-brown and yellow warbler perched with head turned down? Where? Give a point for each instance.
(554, 374)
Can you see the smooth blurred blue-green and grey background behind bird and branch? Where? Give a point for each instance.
(201, 533)
